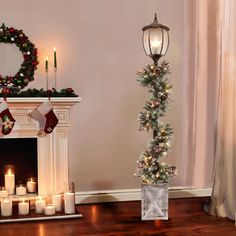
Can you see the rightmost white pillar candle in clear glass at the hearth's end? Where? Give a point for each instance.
(69, 199)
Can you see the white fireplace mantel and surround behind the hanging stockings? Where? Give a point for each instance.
(53, 152)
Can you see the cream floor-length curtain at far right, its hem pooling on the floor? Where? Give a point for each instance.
(224, 187)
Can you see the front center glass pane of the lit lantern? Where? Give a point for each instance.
(156, 41)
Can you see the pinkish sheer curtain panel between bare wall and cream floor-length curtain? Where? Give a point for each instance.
(202, 85)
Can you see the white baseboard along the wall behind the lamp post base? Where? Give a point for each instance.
(135, 194)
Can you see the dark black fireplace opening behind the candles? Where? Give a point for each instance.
(22, 154)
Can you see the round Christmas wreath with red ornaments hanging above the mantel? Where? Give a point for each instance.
(30, 62)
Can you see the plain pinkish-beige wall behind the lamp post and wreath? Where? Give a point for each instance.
(99, 50)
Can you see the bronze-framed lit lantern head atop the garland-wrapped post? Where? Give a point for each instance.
(155, 40)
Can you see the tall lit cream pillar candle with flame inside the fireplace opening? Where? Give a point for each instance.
(9, 177)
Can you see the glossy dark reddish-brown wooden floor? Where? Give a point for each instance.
(186, 217)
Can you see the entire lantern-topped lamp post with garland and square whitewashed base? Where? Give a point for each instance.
(154, 172)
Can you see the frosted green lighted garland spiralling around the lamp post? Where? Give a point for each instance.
(150, 166)
